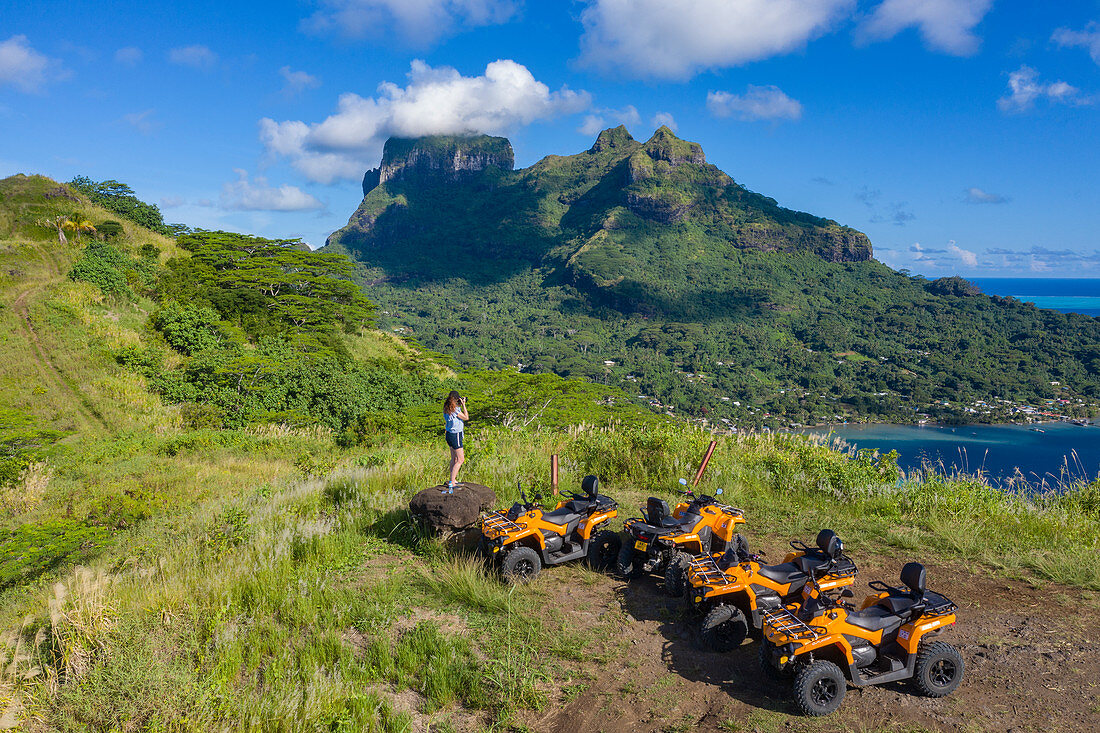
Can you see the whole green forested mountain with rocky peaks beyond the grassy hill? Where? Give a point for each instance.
(641, 265)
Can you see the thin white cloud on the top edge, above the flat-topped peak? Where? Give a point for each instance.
(419, 23)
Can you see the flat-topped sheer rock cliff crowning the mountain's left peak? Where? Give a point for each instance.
(439, 159)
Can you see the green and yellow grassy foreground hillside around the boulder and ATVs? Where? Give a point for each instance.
(158, 576)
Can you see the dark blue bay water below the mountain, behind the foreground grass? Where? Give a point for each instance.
(1063, 452)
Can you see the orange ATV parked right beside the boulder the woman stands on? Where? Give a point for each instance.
(527, 537)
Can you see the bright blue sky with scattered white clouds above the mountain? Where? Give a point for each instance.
(962, 136)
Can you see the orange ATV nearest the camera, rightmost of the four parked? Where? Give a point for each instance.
(827, 644)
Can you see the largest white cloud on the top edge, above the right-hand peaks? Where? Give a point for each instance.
(676, 39)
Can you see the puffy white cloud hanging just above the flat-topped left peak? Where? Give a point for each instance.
(436, 102)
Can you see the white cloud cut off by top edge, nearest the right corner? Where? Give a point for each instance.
(945, 26)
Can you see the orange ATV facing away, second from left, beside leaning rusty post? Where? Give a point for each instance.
(665, 542)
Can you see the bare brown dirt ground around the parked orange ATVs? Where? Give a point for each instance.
(1032, 664)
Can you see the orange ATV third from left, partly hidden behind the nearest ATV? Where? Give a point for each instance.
(734, 590)
